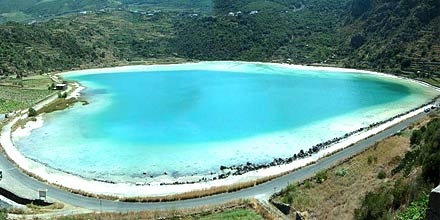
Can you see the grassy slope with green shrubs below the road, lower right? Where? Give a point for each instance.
(380, 183)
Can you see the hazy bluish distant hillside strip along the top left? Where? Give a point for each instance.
(40, 10)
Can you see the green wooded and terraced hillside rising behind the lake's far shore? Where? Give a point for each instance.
(389, 36)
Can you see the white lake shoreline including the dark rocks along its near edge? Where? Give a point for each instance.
(248, 172)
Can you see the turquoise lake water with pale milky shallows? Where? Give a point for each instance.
(192, 120)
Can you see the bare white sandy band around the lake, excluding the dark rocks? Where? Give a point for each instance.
(155, 189)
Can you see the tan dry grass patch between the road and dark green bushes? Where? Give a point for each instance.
(340, 195)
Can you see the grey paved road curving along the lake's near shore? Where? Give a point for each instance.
(261, 190)
